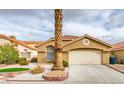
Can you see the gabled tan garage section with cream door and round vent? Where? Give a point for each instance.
(87, 50)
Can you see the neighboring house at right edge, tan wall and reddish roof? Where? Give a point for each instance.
(118, 51)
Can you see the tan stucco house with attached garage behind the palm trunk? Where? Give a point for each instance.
(76, 50)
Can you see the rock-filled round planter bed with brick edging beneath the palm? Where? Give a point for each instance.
(56, 75)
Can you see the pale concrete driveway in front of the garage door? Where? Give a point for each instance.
(94, 74)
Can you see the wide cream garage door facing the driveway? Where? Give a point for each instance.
(85, 56)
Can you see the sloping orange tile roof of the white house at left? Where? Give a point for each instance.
(16, 41)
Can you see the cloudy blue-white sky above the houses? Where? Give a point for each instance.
(38, 24)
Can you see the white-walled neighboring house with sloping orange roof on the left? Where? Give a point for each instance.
(24, 50)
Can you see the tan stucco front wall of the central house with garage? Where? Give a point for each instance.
(77, 45)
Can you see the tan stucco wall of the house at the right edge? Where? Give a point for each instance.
(119, 55)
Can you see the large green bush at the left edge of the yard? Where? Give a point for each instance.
(8, 55)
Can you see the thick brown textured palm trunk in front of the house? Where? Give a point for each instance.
(58, 65)
